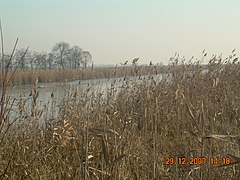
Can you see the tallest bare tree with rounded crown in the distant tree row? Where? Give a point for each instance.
(61, 52)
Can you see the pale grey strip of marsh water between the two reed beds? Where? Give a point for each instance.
(56, 91)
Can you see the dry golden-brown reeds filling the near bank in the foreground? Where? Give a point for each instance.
(128, 134)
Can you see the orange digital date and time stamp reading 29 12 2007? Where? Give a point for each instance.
(197, 160)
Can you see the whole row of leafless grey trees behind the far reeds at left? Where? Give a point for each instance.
(62, 56)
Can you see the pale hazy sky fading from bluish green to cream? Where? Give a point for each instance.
(114, 31)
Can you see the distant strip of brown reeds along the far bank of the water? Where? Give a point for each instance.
(28, 76)
